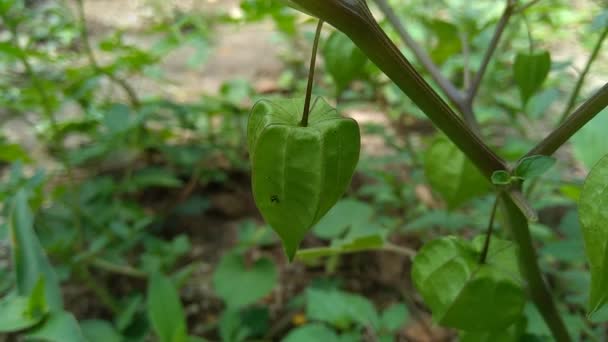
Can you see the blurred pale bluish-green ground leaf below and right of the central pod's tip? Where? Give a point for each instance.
(340, 309)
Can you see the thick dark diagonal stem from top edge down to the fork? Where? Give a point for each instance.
(356, 21)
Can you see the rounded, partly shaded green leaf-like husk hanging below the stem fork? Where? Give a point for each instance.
(464, 294)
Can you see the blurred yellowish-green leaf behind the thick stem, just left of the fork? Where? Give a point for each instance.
(451, 174)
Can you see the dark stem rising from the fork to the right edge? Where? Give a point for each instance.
(587, 111)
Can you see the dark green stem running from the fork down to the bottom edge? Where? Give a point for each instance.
(539, 291)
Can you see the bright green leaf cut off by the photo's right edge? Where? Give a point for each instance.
(593, 215)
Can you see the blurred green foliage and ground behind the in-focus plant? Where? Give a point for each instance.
(127, 214)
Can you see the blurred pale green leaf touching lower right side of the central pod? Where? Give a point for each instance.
(344, 215)
